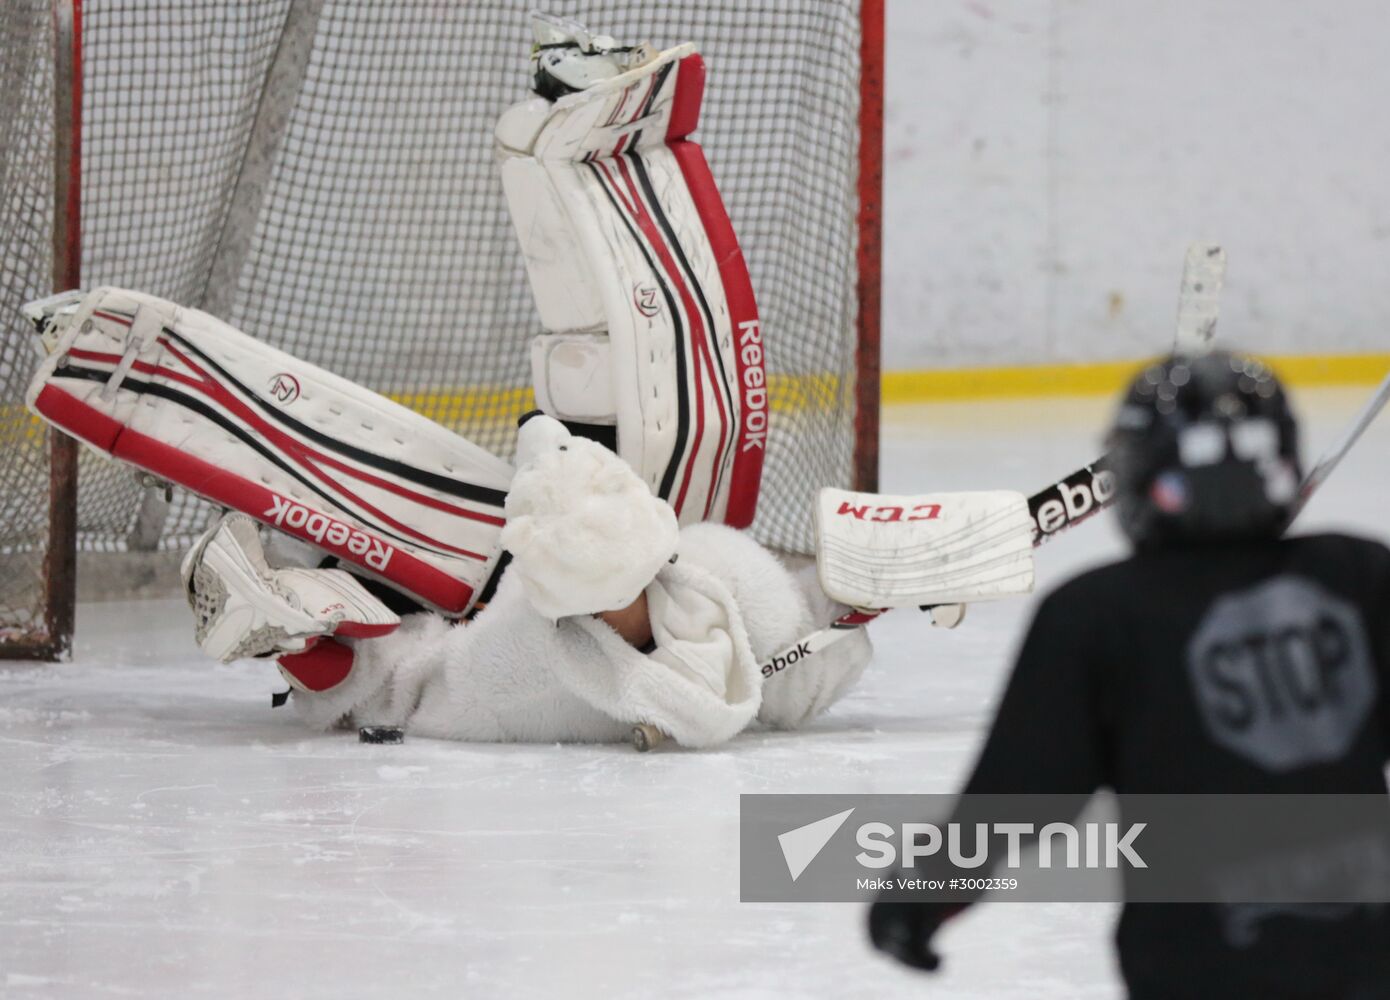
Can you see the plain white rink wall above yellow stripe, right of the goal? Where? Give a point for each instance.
(1047, 162)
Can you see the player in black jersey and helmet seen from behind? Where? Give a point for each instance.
(1161, 674)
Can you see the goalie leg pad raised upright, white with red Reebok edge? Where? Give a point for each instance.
(625, 236)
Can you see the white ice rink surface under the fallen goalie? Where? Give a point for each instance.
(165, 834)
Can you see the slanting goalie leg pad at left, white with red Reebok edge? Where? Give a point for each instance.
(256, 430)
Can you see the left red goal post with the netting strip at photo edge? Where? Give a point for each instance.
(42, 48)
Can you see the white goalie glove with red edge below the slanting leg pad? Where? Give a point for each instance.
(244, 608)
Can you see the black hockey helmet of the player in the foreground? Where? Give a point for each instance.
(1204, 449)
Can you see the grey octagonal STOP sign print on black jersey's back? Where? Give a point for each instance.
(1282, 674)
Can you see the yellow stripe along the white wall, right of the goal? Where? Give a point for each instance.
(1106, 378)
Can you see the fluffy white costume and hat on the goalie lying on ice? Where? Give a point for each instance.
(514, 674)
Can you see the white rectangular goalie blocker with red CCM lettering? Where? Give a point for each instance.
(881, 551)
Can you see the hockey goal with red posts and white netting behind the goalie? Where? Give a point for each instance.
(320, 175)
